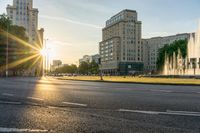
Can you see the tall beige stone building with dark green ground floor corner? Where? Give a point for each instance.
(121, 49)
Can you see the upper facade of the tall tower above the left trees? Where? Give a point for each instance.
(23, 14)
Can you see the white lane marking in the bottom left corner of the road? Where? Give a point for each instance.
(8, 130)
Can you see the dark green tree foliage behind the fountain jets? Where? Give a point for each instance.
(169, 50)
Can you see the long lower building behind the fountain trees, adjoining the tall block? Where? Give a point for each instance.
(151, 48)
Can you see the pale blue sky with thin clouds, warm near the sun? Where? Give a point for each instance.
(74, 27)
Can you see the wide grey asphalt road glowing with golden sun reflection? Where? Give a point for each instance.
(58, 106)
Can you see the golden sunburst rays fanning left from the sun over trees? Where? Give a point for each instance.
(31, 53)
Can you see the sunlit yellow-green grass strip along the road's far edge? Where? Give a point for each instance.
(135, 80)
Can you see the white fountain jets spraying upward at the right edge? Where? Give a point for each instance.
(177, 65)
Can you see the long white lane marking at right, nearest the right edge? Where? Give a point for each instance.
(168, 112)
